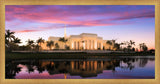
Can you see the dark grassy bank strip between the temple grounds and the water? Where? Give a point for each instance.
(80, 55)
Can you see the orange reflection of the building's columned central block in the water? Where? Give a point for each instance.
(86, 68)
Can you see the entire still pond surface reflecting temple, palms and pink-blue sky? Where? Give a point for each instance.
(79, 68)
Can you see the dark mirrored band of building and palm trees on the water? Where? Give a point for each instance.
(83, 68)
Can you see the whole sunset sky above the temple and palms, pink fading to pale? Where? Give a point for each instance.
(122, 23)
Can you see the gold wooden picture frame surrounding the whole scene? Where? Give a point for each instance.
(80, 2)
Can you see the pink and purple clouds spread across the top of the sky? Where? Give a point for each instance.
(75, 16)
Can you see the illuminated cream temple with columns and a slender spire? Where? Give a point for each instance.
(84, 41)
